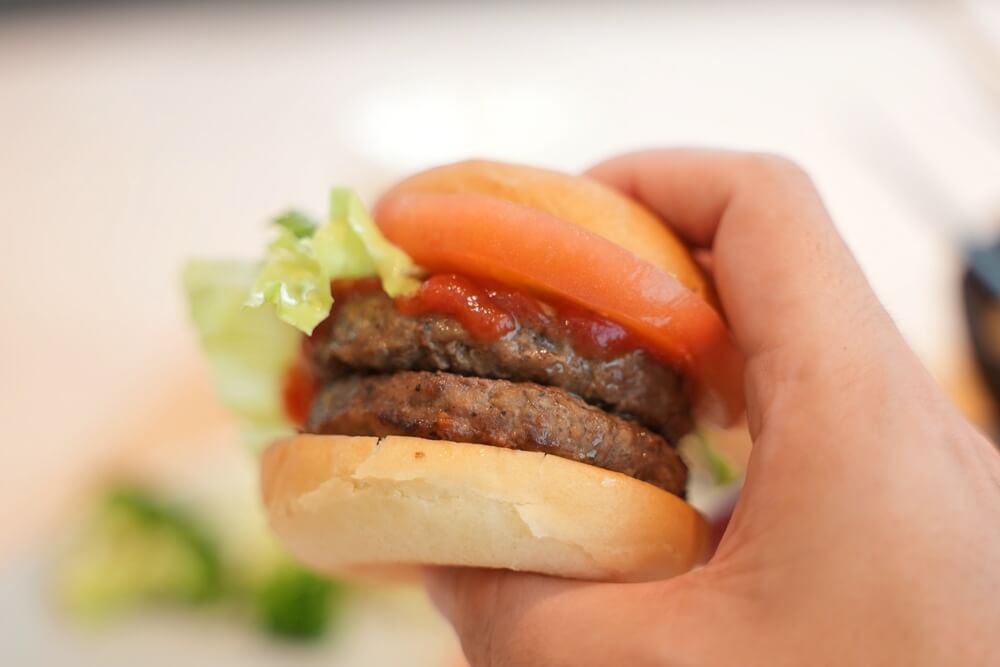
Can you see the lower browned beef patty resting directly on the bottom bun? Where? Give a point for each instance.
(518, 415)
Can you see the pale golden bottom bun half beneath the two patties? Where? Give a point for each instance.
(369, 506)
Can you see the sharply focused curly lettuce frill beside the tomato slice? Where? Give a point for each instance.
(304, 258)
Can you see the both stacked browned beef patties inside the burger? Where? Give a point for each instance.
(531, 390)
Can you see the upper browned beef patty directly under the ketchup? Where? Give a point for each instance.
(367, 334)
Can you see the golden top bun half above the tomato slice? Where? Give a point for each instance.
(577, 199)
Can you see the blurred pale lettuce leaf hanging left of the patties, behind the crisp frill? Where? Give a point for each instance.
(249, 350)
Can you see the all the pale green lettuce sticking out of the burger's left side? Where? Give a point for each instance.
(250, 347)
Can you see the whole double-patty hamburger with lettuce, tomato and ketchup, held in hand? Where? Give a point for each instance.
(492, 370)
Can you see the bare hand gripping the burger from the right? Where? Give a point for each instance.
(868, 531)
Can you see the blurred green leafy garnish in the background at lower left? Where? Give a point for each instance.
(139, 550)
